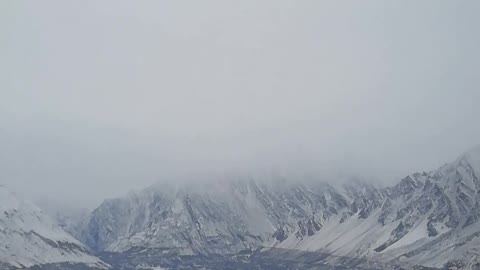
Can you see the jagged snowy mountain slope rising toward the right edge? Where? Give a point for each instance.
(427, 219)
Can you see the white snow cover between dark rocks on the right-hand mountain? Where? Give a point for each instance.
(359, 237)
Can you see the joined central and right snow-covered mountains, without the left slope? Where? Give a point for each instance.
(429, 219)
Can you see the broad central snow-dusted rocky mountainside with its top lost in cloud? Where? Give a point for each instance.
(224, 217)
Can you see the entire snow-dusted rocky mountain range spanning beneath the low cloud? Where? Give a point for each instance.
(426, 220)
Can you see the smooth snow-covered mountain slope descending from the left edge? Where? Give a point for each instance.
(29, 237)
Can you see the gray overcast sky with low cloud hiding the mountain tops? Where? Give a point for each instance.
(99, 97)
